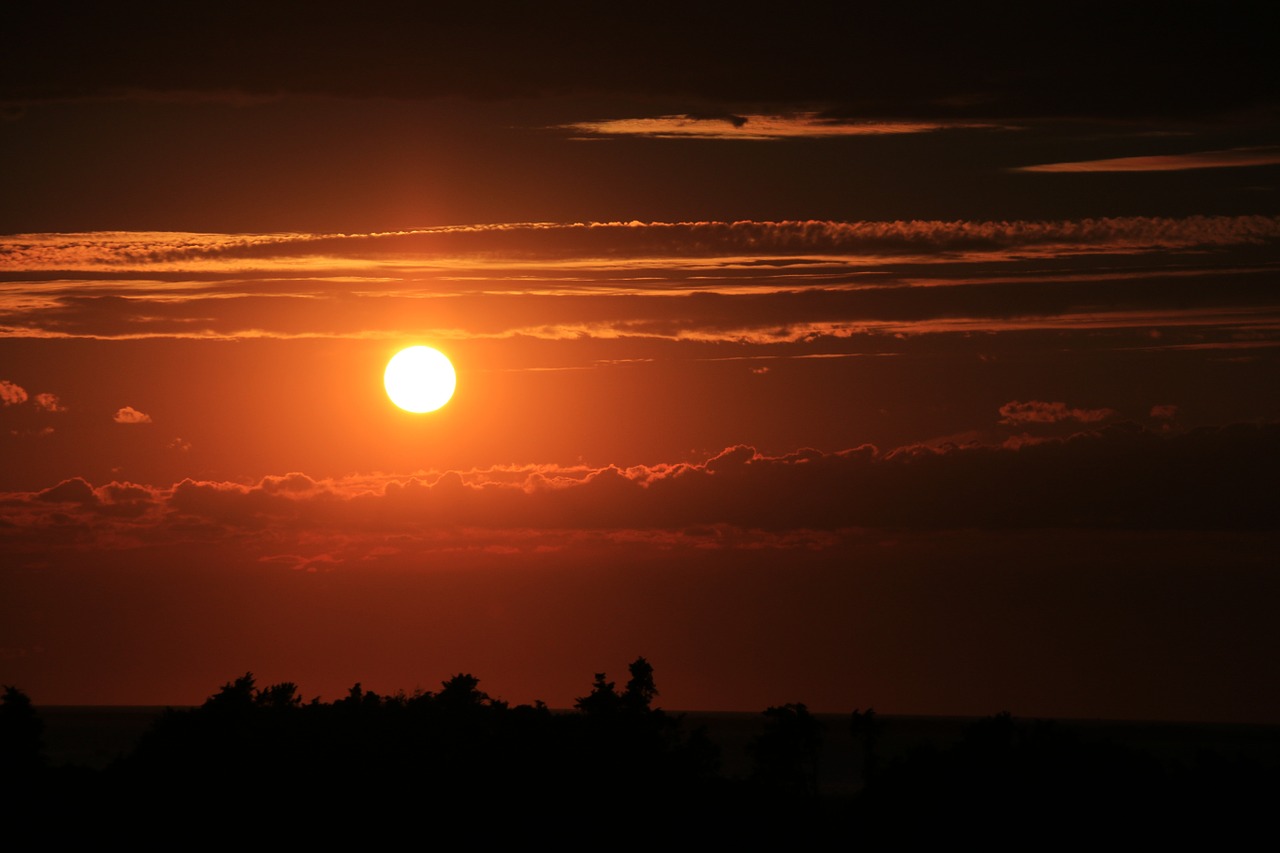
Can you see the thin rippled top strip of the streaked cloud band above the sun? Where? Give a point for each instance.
(610, 243)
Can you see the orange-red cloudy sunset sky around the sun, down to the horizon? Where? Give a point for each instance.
(862, 355)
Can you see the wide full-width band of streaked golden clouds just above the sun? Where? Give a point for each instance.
(758, 284)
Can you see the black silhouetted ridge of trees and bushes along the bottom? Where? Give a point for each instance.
(458, 764)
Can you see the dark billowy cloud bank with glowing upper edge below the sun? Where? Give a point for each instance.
(1121, 477)
